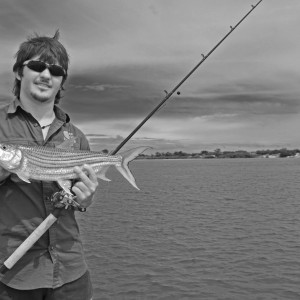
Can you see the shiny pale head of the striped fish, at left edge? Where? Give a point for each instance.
(10, 156)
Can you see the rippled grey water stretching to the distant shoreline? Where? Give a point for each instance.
(198, 229)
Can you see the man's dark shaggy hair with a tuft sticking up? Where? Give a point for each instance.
(49, 49)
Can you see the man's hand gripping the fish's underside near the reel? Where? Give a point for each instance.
(86, 187)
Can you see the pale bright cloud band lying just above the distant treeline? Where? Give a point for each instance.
(205, 133)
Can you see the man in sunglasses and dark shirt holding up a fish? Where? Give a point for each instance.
(54, 268)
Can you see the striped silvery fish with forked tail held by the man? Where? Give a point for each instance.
(57, 164)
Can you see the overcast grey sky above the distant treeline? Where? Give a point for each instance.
(124, 55)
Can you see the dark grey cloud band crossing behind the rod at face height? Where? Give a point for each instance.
(133, 92)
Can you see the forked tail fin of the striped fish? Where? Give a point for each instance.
(127, 157)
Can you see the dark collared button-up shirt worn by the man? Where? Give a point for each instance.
(57, 257)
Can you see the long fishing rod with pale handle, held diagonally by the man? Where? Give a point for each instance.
(52, 217)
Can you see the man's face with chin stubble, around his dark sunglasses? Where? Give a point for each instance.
(39, 86)
